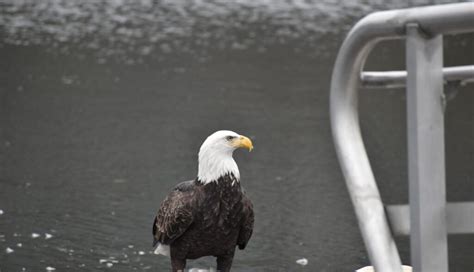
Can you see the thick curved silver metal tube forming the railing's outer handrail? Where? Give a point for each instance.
(346, 78)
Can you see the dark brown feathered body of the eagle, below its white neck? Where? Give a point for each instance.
(199, 219)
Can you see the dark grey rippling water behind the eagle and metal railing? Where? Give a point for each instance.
(104, 105)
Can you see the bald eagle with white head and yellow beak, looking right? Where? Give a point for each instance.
(208, 216)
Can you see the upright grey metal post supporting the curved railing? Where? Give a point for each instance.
(426, 158)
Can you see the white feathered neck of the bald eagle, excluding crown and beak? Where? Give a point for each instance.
(214, 164)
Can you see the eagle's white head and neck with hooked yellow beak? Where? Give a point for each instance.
(215, 155)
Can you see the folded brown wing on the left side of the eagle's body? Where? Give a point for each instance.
(175, 214)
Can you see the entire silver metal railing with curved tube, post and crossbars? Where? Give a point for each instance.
(426, 217)
